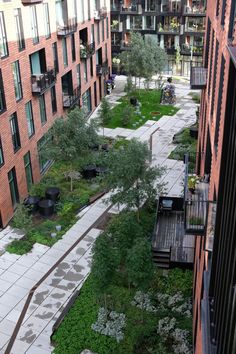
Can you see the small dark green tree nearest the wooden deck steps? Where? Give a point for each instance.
(140, 265)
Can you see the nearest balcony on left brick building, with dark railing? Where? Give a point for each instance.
(42, 82)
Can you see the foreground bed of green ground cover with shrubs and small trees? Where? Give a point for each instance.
(143, 308)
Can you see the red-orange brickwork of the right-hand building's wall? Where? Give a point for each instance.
(208, 123)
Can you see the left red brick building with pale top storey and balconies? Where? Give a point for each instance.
(53, 55)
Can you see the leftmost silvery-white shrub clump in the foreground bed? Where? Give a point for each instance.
(110, 324)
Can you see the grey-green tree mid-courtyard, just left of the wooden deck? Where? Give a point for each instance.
(131, 179)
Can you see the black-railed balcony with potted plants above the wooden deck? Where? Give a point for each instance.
(195, 199)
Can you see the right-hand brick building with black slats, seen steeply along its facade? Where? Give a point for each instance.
(214, 328)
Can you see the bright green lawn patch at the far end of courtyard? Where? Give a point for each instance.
(150, 100)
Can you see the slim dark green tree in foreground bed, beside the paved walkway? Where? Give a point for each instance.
(104, 264)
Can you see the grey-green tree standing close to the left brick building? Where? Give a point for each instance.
(70, 137)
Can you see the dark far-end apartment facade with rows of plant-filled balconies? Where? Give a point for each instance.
(177, 25)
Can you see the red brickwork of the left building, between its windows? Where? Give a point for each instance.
(16, 159)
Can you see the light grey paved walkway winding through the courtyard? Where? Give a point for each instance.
(18, 274)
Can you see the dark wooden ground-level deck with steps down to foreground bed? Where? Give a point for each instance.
(171, 246)
